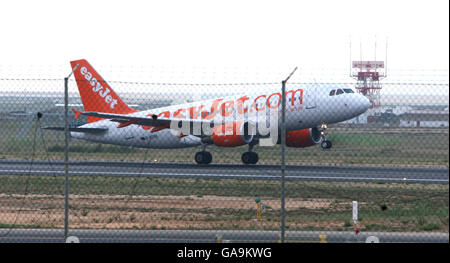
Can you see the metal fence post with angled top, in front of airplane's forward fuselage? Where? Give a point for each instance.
(283, 155)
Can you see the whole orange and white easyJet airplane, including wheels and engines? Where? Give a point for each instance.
(228, 121)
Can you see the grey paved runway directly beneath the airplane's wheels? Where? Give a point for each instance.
(231, 171)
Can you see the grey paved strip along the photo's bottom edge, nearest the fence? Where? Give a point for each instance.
(213, 236)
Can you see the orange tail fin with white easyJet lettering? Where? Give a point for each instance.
(95, 93)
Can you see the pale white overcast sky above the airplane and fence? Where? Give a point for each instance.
(211, 41)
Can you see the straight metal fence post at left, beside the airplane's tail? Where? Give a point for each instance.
(66, 157)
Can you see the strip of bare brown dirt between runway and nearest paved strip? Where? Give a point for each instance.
(145, 212)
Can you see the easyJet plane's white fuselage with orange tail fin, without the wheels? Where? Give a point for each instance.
(306, 108)
